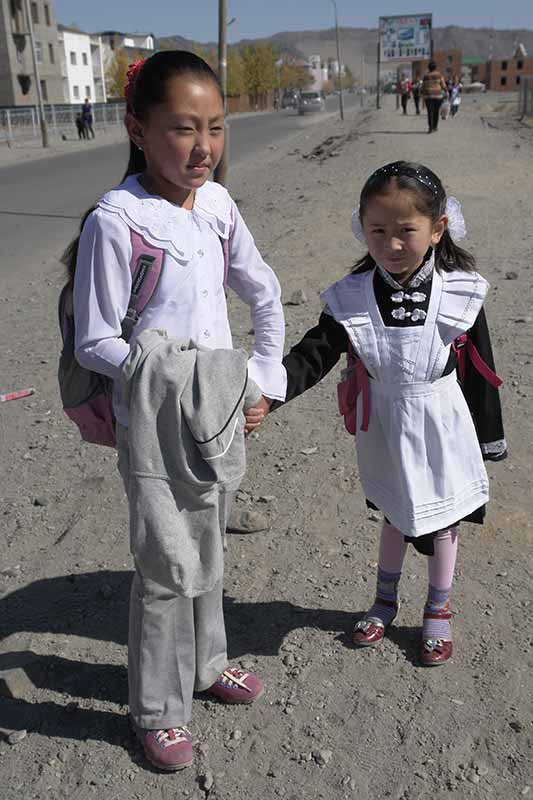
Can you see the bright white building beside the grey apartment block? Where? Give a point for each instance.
(82, 66)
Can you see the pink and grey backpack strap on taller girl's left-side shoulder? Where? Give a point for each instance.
(145, 265)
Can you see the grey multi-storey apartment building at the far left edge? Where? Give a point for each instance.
(17, 82)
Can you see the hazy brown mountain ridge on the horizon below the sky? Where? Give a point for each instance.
(358, 42)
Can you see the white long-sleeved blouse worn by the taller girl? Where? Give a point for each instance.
(189, 301)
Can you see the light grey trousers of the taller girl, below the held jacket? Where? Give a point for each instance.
(176, 644)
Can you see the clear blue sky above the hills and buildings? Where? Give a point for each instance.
(198, 19)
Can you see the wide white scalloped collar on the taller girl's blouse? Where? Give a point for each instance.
(164, 224)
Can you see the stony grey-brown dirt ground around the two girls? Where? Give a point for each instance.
(335, 722)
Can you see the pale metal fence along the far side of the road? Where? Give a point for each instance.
(22, 124)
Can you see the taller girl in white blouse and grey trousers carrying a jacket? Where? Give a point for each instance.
(175, 122)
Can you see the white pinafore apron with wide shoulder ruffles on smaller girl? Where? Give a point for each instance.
(419, 461)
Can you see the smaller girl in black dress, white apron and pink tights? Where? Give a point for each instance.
(407, 315)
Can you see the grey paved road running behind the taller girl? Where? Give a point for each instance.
(41, 201)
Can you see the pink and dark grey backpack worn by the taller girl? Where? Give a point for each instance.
(86, 395)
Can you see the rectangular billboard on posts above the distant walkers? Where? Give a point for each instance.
(405, 38)
